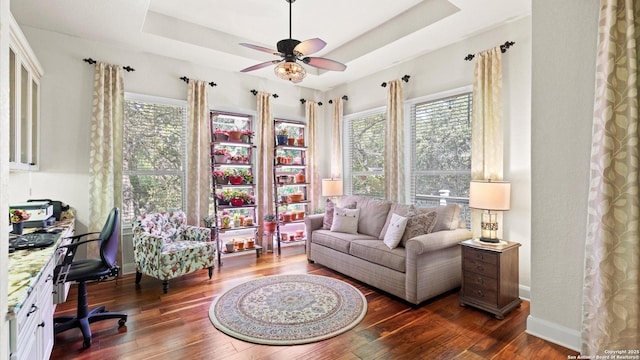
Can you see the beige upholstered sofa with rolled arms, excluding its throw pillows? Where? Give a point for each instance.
(425, 266)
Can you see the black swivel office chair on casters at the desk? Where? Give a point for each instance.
(82, 271)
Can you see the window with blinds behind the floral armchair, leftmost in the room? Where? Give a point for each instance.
(154, 155)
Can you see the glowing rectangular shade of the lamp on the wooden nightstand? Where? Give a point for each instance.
(490, 195)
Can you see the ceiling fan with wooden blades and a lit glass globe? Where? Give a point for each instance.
(290, 50)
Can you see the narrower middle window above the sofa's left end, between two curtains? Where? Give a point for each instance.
(364, 154)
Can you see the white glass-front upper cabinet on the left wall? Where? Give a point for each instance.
(24, 95)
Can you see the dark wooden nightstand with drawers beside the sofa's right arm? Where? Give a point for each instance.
(490, 276)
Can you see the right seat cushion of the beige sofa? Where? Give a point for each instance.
(375, 251)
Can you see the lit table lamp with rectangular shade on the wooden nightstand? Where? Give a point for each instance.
(490, 196)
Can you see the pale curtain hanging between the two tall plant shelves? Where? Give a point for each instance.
(266, 139)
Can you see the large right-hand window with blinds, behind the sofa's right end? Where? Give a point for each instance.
(441, 144)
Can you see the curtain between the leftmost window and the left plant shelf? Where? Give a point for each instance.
(198, 167)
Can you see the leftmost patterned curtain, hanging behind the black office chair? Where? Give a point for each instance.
(105, 157)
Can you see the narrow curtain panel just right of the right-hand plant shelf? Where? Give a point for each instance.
(313, 174)
